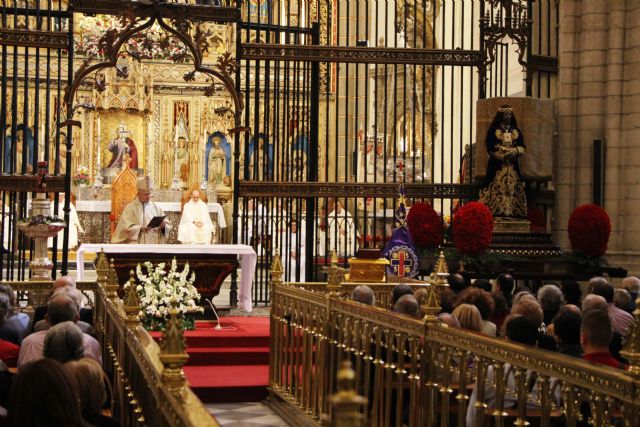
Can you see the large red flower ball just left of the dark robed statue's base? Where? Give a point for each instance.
(472, 229)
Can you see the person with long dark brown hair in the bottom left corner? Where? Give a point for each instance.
(44, 394)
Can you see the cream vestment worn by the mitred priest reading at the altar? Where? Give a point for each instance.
(133, 219)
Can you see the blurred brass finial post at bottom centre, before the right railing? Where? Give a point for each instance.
(347, 408)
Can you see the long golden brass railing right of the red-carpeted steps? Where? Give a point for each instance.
(421, 373)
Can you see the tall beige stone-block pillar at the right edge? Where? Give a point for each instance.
(599, 98)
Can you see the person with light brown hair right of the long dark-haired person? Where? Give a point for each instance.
(94, 389)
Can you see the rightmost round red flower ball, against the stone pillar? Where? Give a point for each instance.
(589, 230)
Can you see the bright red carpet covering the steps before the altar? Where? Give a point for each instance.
(228, 365)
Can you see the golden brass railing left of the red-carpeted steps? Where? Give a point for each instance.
(148, 382)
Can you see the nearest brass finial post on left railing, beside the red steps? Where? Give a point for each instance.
(173, 355)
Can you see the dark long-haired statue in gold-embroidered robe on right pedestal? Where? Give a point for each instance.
(503, 189)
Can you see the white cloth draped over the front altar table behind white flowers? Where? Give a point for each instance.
(247, 255)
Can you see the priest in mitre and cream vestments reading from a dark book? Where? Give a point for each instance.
(132, 226)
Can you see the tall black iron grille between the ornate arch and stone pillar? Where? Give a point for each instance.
(346, 100)
